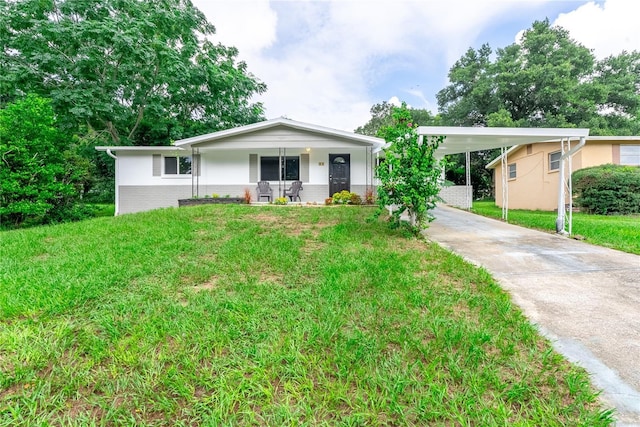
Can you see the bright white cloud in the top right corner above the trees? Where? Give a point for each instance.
(607, 28)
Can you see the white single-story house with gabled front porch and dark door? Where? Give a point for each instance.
(227, 162)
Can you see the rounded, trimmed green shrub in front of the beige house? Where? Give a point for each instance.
(608, 189)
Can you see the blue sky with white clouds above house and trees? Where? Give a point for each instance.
(327, 62)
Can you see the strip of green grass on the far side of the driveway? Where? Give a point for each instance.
(612, 231)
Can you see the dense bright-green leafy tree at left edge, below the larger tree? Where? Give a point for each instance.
(41, 179)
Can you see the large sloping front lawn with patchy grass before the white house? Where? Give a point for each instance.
(241, 315)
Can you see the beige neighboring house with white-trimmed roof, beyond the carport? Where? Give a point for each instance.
(533, 169)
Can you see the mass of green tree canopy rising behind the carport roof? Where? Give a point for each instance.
(547, 79)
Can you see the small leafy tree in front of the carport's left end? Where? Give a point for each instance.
(410, 175)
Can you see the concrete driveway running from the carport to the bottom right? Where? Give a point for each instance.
(584, 298)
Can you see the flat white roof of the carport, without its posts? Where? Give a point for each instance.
(463, 139)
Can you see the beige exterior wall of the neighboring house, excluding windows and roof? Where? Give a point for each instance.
(535, 186)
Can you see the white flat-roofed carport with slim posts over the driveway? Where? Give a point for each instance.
(467, 139)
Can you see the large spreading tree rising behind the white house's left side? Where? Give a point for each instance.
(139, 72)
